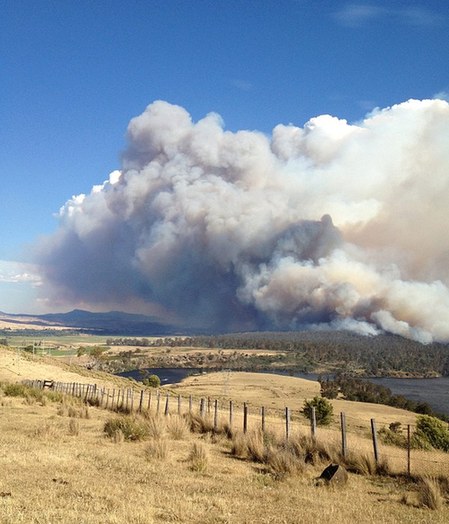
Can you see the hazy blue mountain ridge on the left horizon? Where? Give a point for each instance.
(111, 322)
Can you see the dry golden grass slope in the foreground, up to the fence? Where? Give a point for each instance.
(48, 475)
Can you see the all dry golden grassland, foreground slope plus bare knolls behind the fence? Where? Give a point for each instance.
(58, 465)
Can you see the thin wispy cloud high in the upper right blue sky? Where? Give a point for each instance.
(360, 14)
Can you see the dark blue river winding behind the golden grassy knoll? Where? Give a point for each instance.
(434, 391)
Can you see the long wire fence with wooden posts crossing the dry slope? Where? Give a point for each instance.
(245, 417)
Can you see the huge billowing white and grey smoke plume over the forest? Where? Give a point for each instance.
(331, 223)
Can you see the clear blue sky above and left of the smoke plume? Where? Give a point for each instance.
(74, 73)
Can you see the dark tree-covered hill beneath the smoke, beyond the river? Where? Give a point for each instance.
(334, 350)
